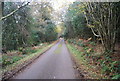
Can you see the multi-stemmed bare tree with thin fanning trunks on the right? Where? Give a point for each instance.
(103, 17)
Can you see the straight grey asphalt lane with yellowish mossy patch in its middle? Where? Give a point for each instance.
(56, 63)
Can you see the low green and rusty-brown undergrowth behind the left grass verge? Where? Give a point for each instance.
(14, 56)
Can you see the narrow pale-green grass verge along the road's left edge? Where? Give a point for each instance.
(11, 69)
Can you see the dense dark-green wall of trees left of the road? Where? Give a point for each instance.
(24, 28)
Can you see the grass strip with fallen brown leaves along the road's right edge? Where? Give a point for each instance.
(91, 71)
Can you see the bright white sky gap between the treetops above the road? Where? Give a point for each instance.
(59, 6)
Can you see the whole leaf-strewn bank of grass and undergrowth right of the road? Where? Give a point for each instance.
(101, 65)
